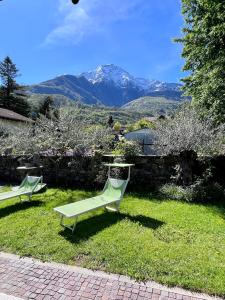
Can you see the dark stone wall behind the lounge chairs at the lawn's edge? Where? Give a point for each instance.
(89, 172)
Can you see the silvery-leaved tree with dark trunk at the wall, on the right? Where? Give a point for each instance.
(187, 135)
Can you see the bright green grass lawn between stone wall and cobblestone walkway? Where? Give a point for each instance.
(170, 242)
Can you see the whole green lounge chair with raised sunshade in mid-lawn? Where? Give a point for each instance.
(111, 195)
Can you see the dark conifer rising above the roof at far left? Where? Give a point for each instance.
(12, 95)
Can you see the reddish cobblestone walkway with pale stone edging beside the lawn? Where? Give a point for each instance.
(31, 279)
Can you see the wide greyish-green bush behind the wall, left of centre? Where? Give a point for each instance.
(56, 136)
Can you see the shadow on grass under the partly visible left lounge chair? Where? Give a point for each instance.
(11, 209)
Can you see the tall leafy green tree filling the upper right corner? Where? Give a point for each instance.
(204, 44)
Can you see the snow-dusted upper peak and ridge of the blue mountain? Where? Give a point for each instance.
(121, 78)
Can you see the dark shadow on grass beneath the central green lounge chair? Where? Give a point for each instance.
(90, 227)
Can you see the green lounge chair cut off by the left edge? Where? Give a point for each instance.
(26, 188)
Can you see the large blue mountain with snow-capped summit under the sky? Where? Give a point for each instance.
(109, 85)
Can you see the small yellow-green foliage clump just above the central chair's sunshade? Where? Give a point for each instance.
(127, 148)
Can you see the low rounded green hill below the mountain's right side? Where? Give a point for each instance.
(153, 105)
